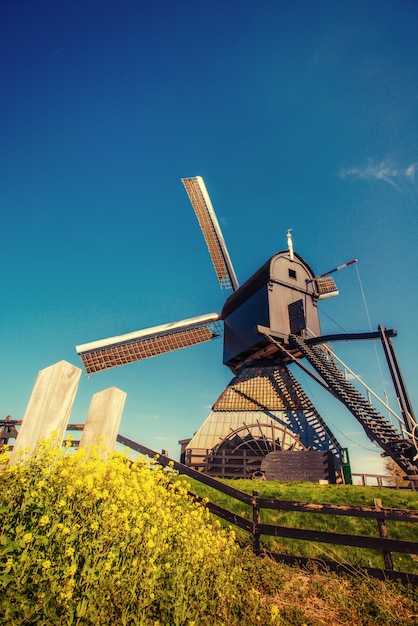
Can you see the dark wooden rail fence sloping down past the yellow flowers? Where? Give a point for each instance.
(256, 528)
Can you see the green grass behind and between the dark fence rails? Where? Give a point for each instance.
(325, 494)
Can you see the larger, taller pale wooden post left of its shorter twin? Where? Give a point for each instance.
(49, 407)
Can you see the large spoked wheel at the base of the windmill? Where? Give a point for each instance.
(240, 453)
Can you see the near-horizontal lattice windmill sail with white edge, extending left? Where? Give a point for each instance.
(143, 344)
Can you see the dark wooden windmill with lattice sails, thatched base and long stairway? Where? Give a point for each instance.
(268, 323)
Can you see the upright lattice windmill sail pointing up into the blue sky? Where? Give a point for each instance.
(206, 216)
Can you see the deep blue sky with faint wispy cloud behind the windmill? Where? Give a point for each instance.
(297, 115)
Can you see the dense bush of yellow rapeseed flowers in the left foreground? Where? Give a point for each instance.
(93, 540)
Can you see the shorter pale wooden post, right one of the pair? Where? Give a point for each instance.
(103, 419)
